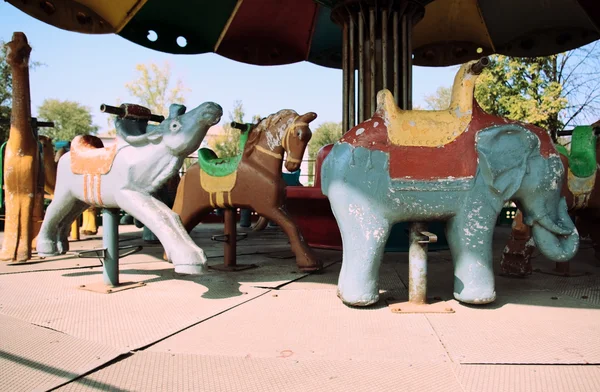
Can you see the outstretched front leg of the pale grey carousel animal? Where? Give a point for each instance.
(187, 257)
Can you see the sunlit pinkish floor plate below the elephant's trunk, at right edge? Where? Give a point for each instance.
(554, 331)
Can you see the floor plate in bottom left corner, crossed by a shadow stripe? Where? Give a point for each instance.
(35, 358)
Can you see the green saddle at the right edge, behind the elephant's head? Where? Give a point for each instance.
(582, 158)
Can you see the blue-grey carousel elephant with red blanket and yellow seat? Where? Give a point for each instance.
(458, 165)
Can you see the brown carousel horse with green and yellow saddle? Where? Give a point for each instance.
(252, 179)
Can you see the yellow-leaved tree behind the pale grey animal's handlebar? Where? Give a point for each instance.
(154, 88)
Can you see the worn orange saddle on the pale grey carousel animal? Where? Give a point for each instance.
(89, 156)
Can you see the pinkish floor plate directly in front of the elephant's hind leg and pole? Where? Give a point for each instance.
(308, 325)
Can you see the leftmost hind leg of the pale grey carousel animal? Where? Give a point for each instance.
(59, 211)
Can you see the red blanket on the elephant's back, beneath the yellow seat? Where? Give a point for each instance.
(454, 160)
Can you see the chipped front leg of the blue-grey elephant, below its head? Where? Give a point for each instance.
(470, 238)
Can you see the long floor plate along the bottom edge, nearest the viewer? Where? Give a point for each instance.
(151, 371)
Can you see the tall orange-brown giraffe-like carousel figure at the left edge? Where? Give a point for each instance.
(21, 161)
